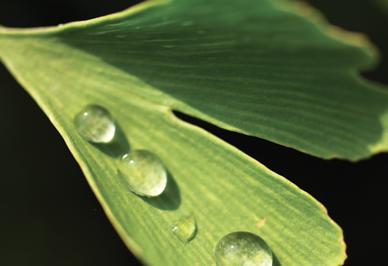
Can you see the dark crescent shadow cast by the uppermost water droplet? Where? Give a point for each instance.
(117, 147)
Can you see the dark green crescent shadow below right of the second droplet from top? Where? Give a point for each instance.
(170, 199)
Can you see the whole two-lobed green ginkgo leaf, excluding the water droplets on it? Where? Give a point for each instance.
(256, 67)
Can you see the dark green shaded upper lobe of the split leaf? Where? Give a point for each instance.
(269, 72)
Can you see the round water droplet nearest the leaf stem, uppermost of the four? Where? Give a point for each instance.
(95, 124)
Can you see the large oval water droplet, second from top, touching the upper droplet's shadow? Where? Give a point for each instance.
(144, 173)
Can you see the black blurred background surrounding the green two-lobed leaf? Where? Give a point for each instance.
(49, 216)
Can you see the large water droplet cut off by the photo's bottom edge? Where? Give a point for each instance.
(243, 249)
